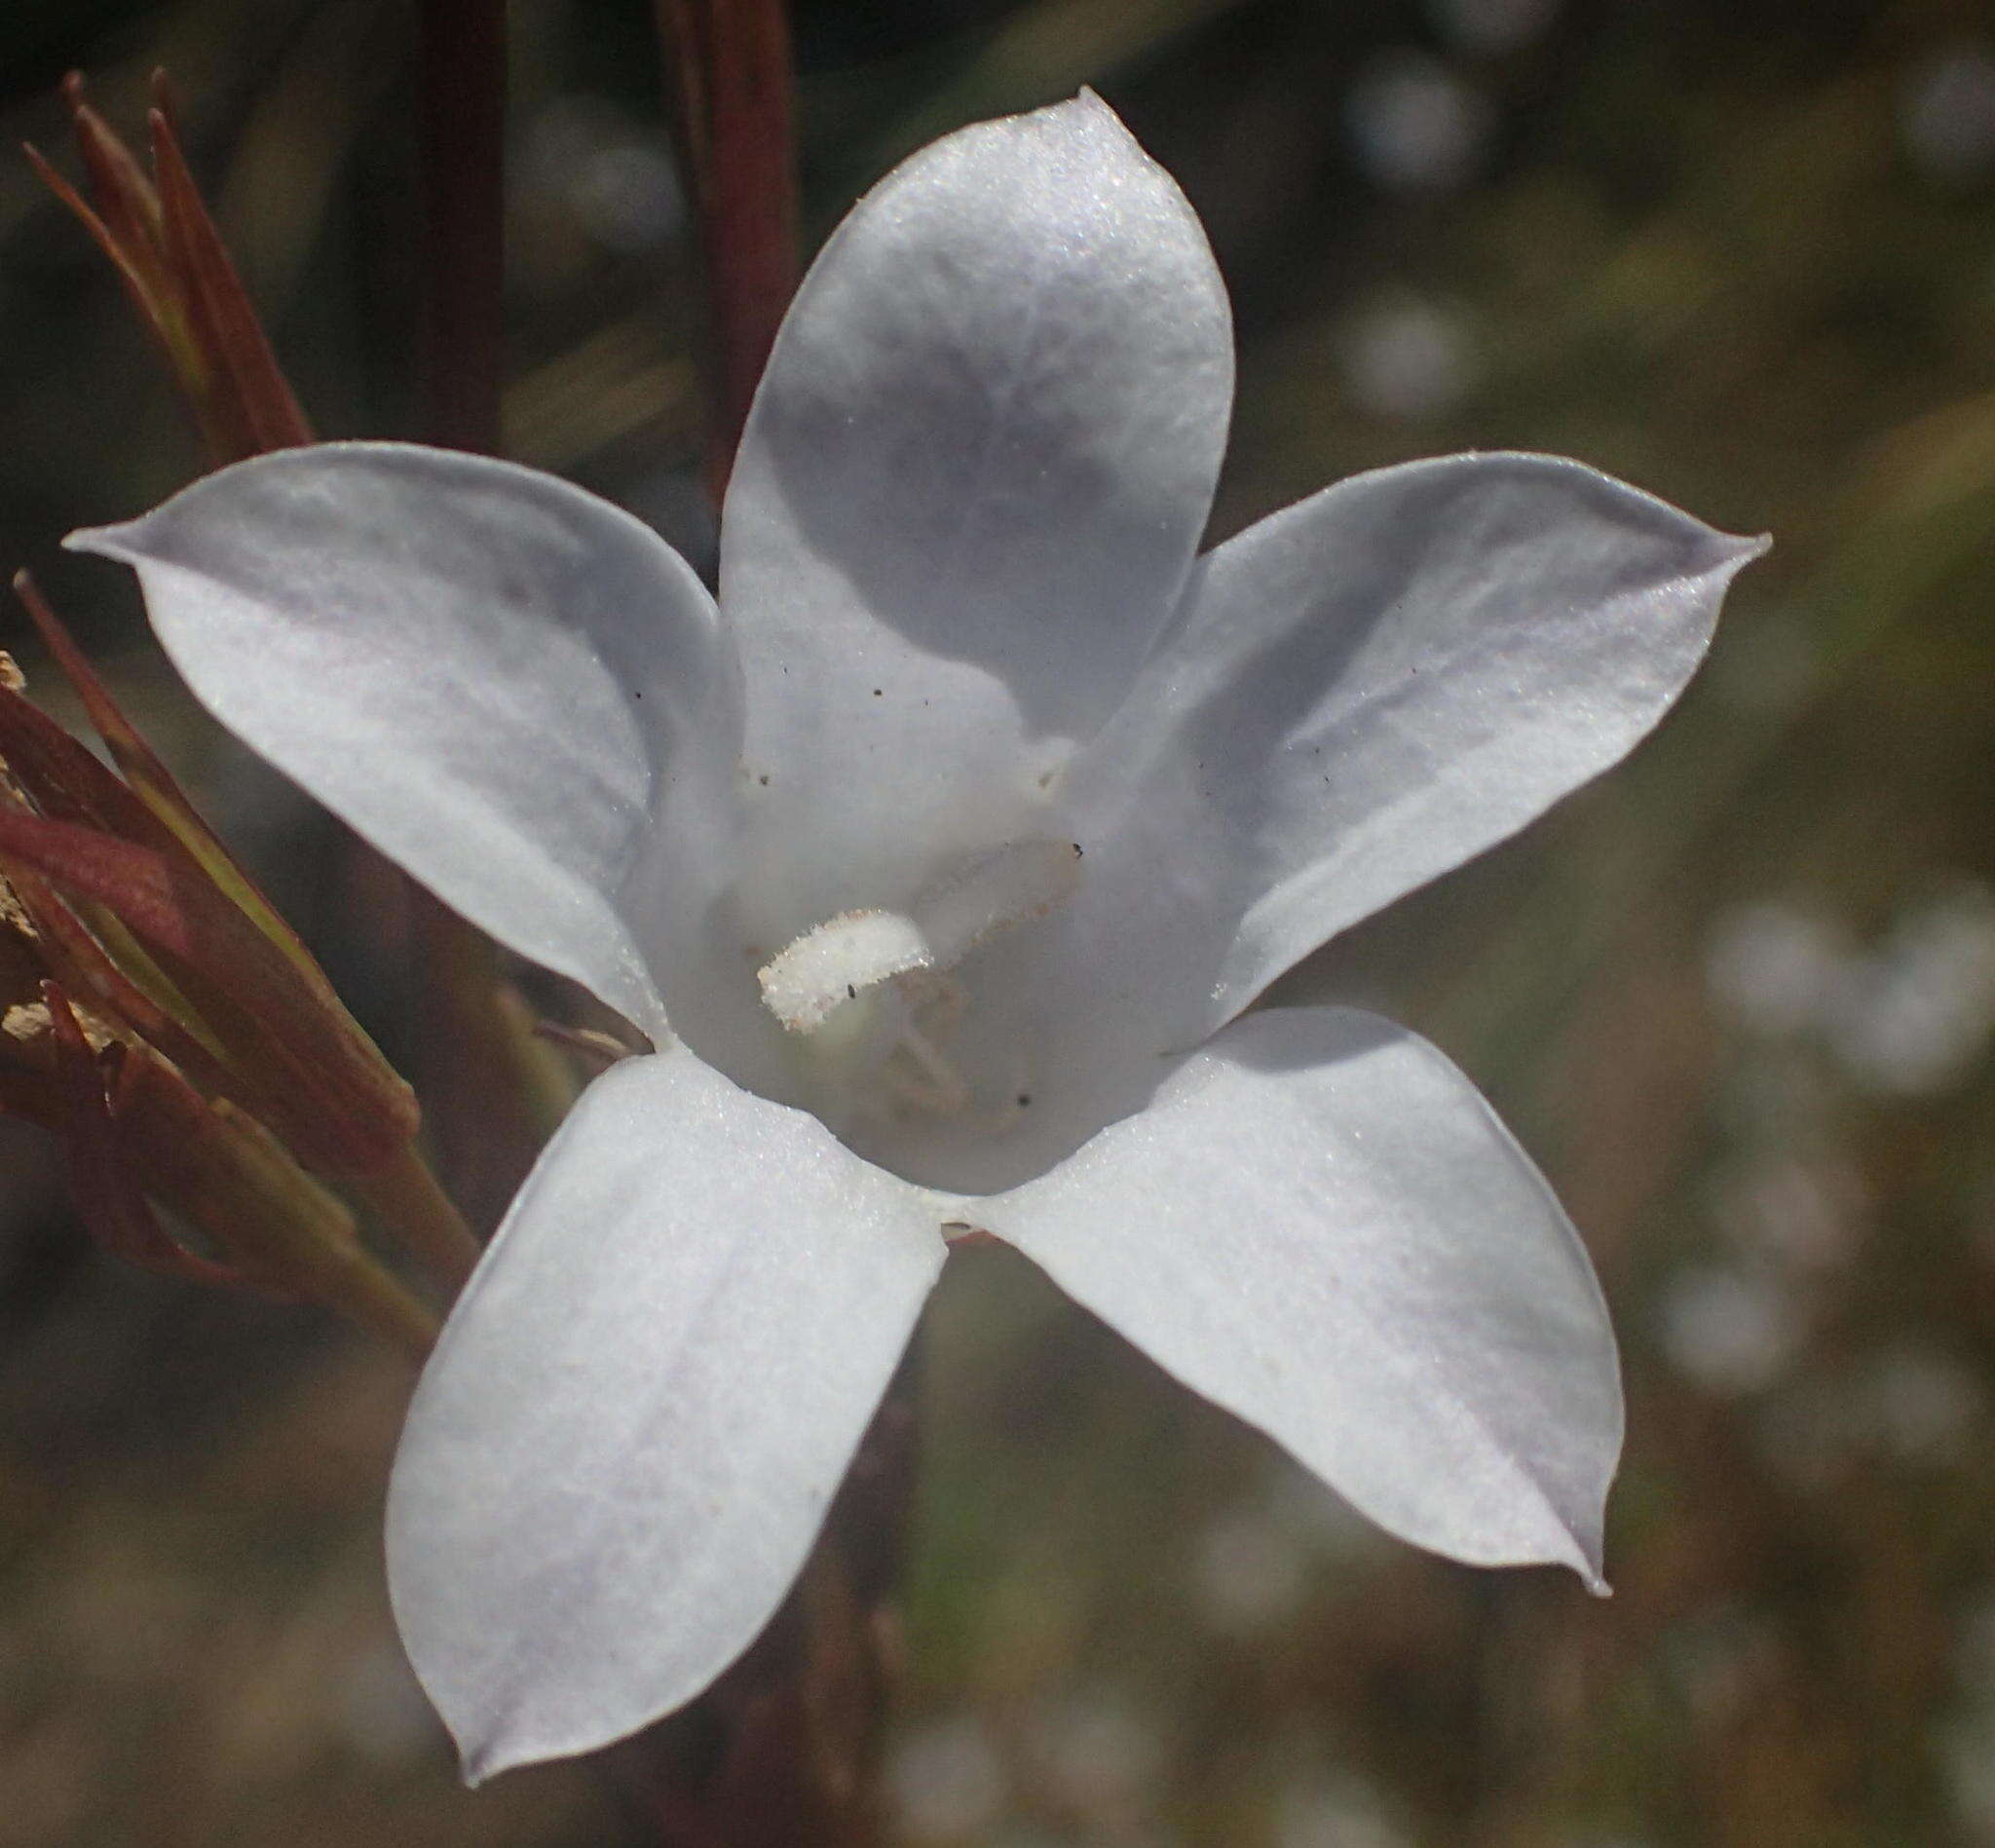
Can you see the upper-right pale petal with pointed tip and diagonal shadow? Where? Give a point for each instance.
(1366, 692)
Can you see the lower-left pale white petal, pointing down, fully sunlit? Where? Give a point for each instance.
(641, 1408)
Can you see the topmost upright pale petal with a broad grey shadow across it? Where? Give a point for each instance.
(967, 502)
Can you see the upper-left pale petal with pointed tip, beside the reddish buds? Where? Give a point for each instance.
(496, 678)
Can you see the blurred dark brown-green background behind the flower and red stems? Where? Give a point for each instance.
(1739, 999)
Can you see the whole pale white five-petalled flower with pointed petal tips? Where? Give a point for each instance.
(943, 861)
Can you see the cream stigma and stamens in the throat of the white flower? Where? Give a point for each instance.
(869, 995)
